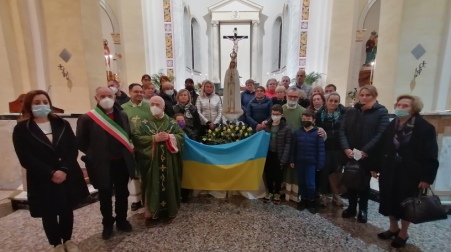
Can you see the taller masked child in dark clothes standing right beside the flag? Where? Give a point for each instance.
(278, 153)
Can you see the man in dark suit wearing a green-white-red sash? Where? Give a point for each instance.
(103, 136)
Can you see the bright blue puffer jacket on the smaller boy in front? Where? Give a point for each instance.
(307, 148)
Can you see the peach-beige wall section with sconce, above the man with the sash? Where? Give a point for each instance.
(75, 26)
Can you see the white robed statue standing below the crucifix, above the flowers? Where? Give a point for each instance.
(232, 101)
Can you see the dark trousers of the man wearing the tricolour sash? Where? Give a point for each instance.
(119, 182)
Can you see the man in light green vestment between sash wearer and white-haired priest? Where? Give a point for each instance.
(136, 110)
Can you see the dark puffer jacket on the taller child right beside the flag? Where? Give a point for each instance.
(283, 140)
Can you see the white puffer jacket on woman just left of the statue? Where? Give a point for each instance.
(210, 108)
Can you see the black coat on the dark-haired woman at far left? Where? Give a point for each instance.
(41, 158)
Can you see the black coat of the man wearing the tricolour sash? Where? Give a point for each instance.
(95, 142)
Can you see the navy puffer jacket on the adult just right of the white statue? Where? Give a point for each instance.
(258, 111)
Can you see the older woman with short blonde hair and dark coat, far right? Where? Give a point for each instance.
(407, 162)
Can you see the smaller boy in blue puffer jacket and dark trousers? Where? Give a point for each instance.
(307, 156)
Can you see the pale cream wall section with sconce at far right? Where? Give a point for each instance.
(422, 23)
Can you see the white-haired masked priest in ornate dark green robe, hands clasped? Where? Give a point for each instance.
(160, 141)
